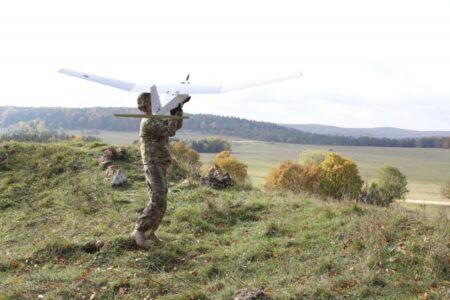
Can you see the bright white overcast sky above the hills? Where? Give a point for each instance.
(365, 63)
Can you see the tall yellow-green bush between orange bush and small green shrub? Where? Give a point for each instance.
(339, 177)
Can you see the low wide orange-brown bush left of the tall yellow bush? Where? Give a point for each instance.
(294, 177)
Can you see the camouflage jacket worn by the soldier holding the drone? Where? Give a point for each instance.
(155, 135)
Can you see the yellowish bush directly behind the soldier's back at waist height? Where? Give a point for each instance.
(185, 162)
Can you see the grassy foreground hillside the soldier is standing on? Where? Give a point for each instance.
(54, 203)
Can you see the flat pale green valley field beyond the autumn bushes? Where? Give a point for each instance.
(426, 169)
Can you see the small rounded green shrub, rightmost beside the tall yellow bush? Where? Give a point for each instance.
(392, 183)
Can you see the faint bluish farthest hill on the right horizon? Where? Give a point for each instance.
(378, 132)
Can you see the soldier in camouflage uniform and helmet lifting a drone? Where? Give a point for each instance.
(154, 134)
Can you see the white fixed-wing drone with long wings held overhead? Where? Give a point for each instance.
(176, 93)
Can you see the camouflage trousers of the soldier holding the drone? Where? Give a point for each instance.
(156, 179)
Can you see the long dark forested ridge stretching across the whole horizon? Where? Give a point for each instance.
(102, 118)
